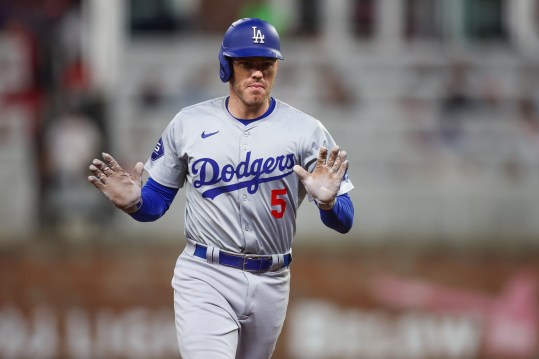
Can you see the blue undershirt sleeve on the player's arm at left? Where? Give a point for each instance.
(156, 200)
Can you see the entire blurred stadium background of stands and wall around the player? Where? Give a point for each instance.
(436, 102)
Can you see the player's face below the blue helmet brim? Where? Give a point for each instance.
(253, 80)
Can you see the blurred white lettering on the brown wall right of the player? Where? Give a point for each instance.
(324, 330)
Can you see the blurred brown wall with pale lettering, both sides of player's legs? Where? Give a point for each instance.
(116, 302)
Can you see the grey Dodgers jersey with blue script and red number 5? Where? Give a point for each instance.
(242, 194)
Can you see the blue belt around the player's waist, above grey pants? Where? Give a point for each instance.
(246, 262)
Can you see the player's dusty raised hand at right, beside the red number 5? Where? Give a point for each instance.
(324, 182)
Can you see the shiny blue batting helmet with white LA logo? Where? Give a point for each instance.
(248, 37)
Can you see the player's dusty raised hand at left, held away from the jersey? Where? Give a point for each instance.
(121, 188)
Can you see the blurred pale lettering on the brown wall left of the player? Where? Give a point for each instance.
(136, 332)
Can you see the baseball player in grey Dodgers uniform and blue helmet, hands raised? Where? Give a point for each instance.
(246, 161)
